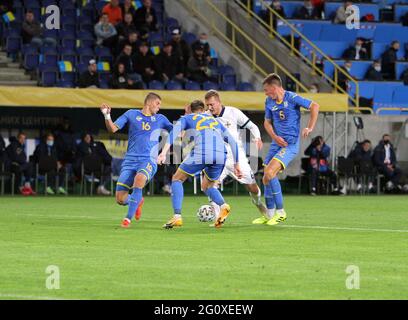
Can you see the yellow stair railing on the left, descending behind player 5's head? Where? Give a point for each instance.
(257, 52)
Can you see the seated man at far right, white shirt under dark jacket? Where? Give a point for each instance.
(386, 163)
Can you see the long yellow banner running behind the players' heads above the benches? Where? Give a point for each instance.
(92, 98)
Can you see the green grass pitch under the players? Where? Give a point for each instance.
(304, 258)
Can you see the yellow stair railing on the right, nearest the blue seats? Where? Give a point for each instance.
(315, 51)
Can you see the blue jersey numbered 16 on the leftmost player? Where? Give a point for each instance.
(144, 133)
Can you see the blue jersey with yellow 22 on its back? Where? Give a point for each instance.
(208, 134)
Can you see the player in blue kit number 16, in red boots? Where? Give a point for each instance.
(140, 163)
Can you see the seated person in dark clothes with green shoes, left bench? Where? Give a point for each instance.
(47, 148)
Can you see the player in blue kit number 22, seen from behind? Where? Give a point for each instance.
(208, 156)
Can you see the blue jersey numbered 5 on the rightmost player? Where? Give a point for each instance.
(285, 116)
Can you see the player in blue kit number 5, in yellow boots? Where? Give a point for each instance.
(282, 123)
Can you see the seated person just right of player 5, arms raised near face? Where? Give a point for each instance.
(319, 153)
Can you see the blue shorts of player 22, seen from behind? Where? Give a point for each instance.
(211, 170)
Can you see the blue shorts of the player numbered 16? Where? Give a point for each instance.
(129, 170)
